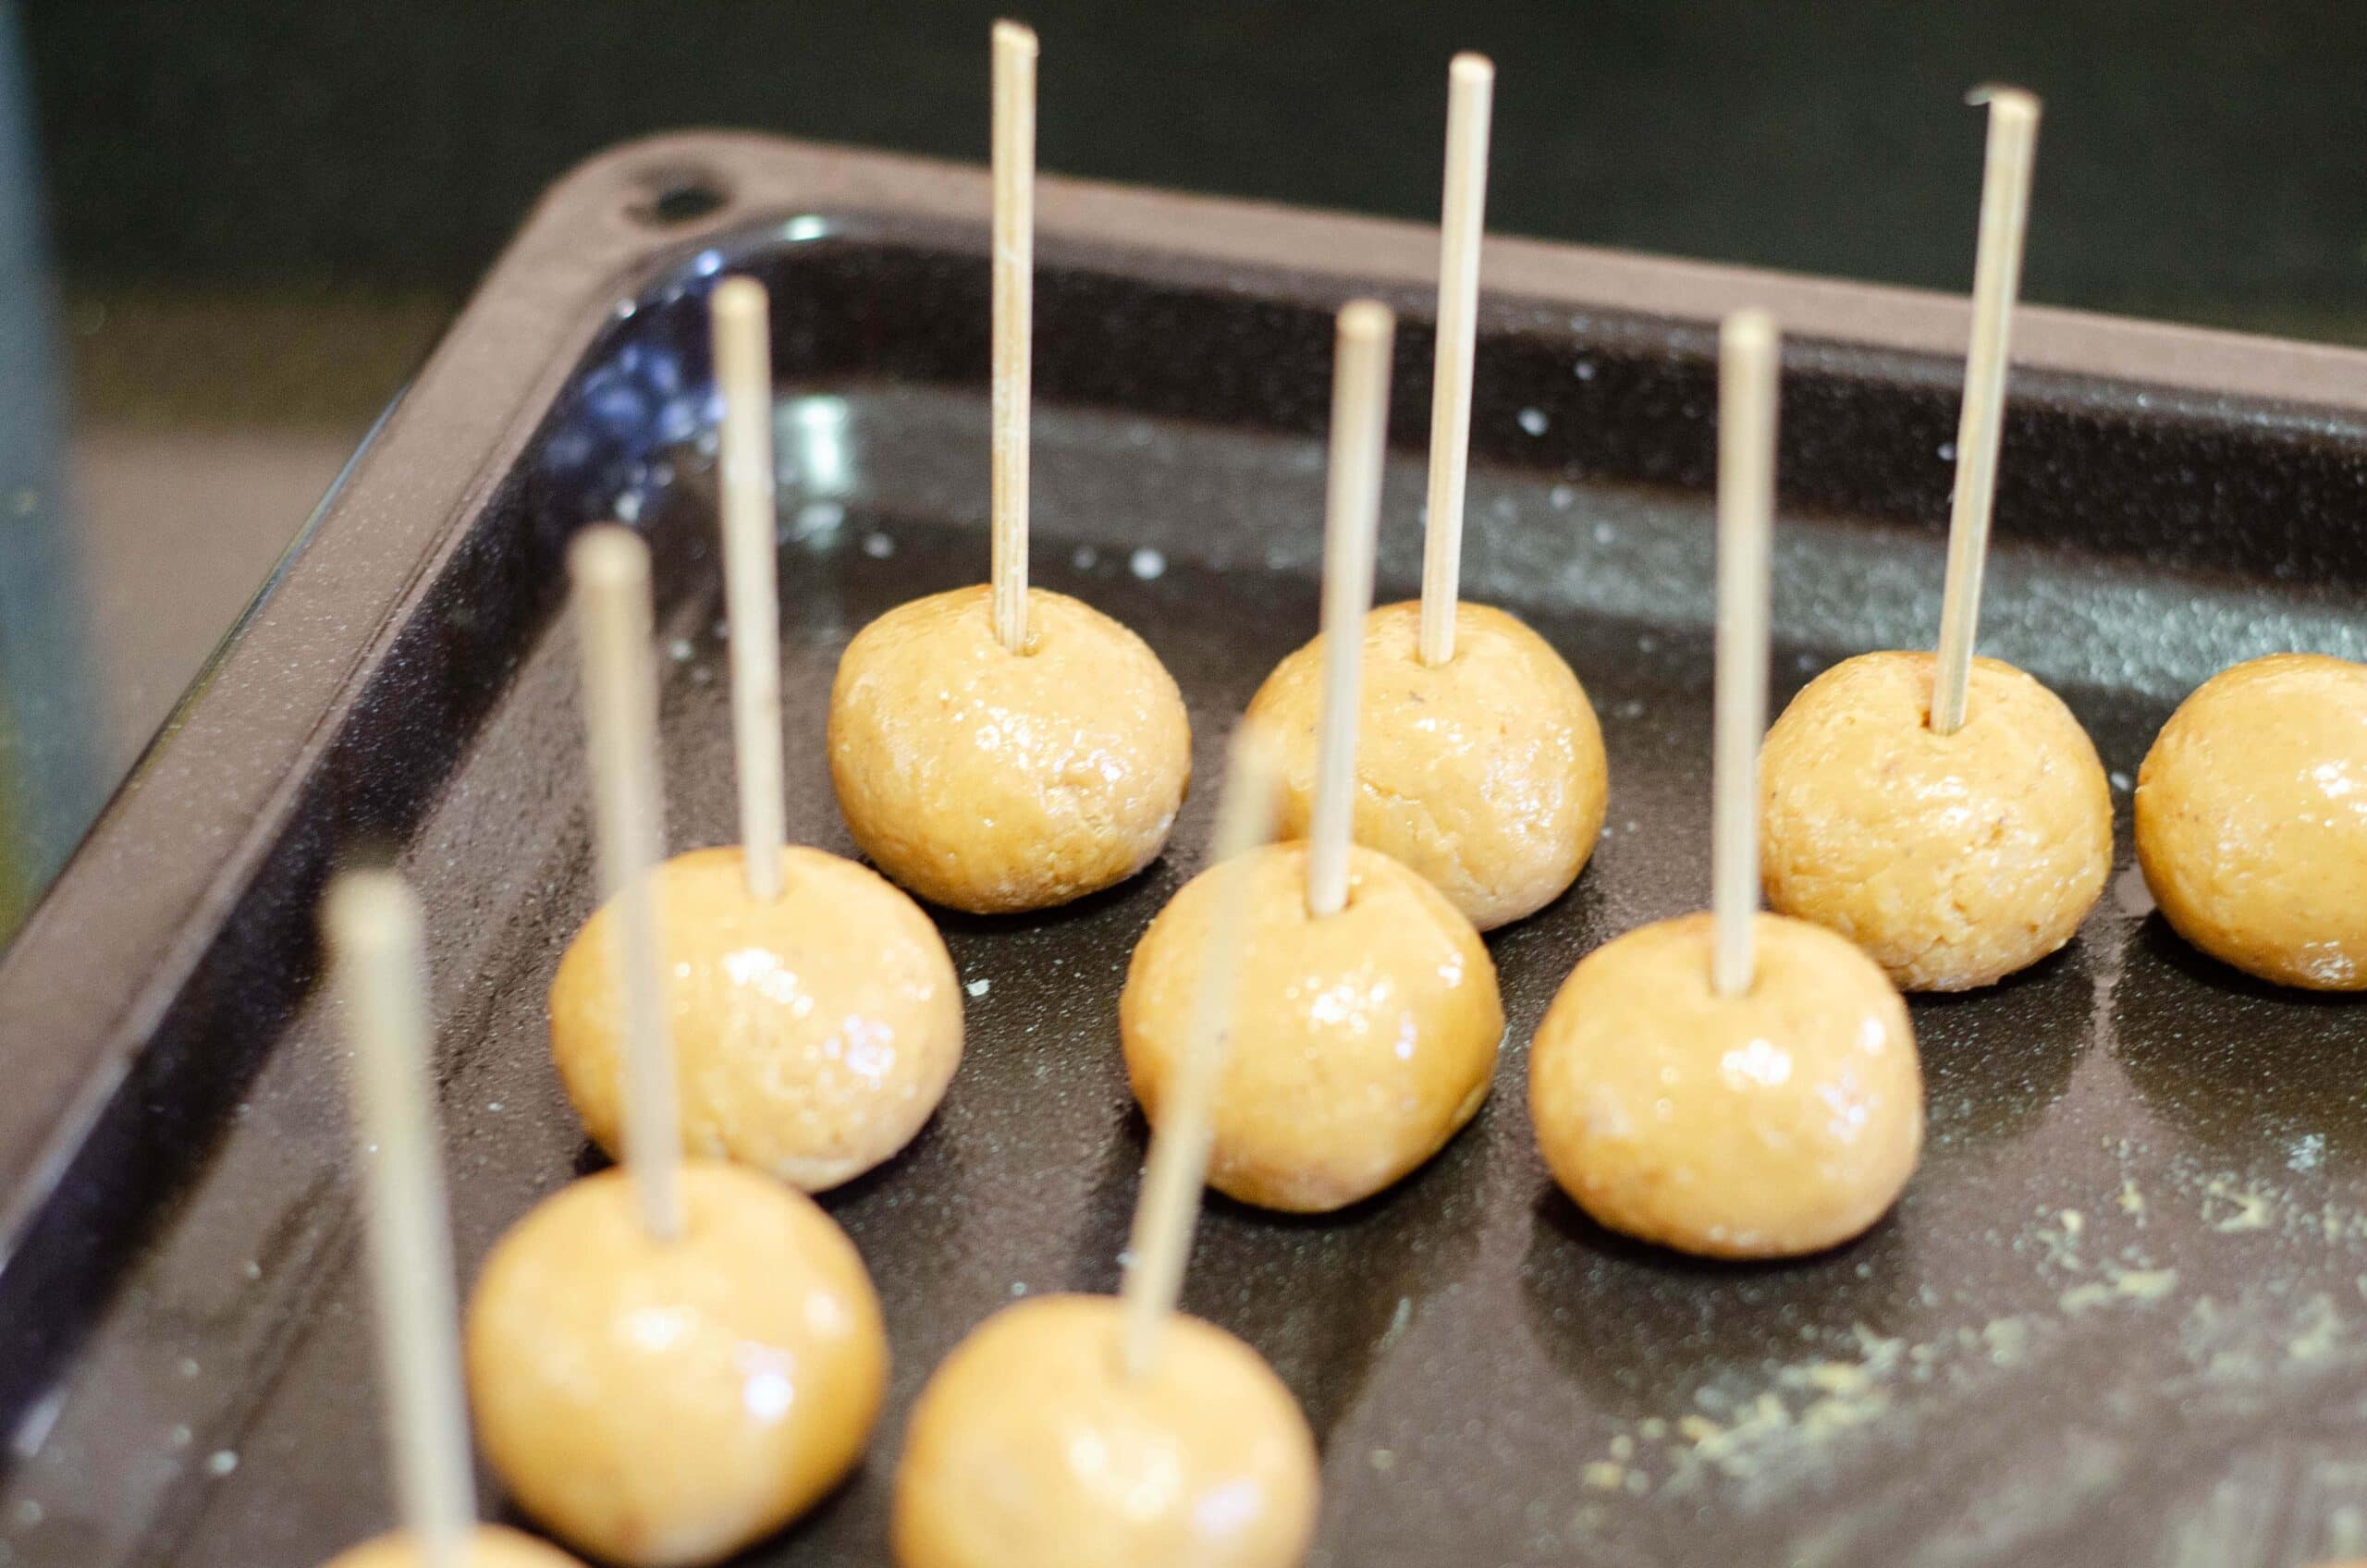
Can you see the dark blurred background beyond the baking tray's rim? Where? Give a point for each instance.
(259, 217)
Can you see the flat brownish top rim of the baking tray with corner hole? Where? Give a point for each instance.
(127, 927)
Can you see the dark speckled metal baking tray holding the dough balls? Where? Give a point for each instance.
(2117, 1318)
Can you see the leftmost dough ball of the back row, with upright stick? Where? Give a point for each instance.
(995, 783)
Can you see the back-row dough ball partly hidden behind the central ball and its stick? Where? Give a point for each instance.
(1485, 773)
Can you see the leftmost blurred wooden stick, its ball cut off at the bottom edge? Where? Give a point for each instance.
(380, 972)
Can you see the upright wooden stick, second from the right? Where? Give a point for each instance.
(1750, 356)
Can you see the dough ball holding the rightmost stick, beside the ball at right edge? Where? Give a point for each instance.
(1952, 859)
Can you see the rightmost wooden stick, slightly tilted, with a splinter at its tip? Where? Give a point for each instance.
(1997, 281)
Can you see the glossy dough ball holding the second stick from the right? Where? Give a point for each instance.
(1762, 1126)
